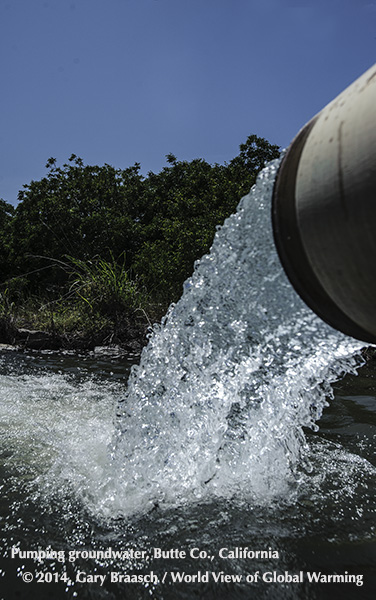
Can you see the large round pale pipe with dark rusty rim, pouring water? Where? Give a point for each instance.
(324, 211)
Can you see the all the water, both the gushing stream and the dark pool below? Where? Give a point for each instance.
(212, 445)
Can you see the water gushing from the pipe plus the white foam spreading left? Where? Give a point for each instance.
(216, 407)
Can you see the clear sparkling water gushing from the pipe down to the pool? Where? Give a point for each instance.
(237, 368)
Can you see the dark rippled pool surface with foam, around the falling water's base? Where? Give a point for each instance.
(325, 525)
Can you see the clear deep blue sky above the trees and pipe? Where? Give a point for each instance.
(125, 81)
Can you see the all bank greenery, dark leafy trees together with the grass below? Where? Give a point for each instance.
(98, 251)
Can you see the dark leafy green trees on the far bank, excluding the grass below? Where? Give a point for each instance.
(153, 227)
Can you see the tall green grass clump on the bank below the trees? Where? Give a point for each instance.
(101, 301)
